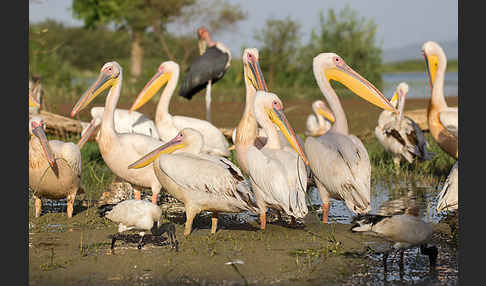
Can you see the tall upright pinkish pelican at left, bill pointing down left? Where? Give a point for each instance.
(120, 149)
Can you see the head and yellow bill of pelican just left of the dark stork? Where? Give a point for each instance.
(164, 73)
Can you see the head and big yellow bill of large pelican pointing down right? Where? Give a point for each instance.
(333, 67)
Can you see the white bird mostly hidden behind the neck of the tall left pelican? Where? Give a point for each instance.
(125, 122)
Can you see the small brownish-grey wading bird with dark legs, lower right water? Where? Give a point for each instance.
(403, 227)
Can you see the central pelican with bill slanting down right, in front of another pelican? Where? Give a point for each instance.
(277, 174)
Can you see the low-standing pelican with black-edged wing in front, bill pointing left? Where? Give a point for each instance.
(201, 181)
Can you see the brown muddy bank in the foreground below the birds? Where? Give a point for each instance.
(77, 252)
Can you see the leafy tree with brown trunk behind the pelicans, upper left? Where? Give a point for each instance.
(137, 16)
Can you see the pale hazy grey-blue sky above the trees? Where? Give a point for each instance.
(400, 22)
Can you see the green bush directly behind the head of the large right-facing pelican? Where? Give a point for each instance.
(351, 37)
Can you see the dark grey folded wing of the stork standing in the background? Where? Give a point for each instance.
(208, 66)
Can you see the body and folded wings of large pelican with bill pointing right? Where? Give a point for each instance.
(341, 164)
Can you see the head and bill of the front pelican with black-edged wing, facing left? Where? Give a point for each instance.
(187, 140)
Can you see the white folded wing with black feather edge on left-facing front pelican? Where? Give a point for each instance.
(206, 173)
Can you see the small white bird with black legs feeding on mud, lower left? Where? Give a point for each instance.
(138, 215)
